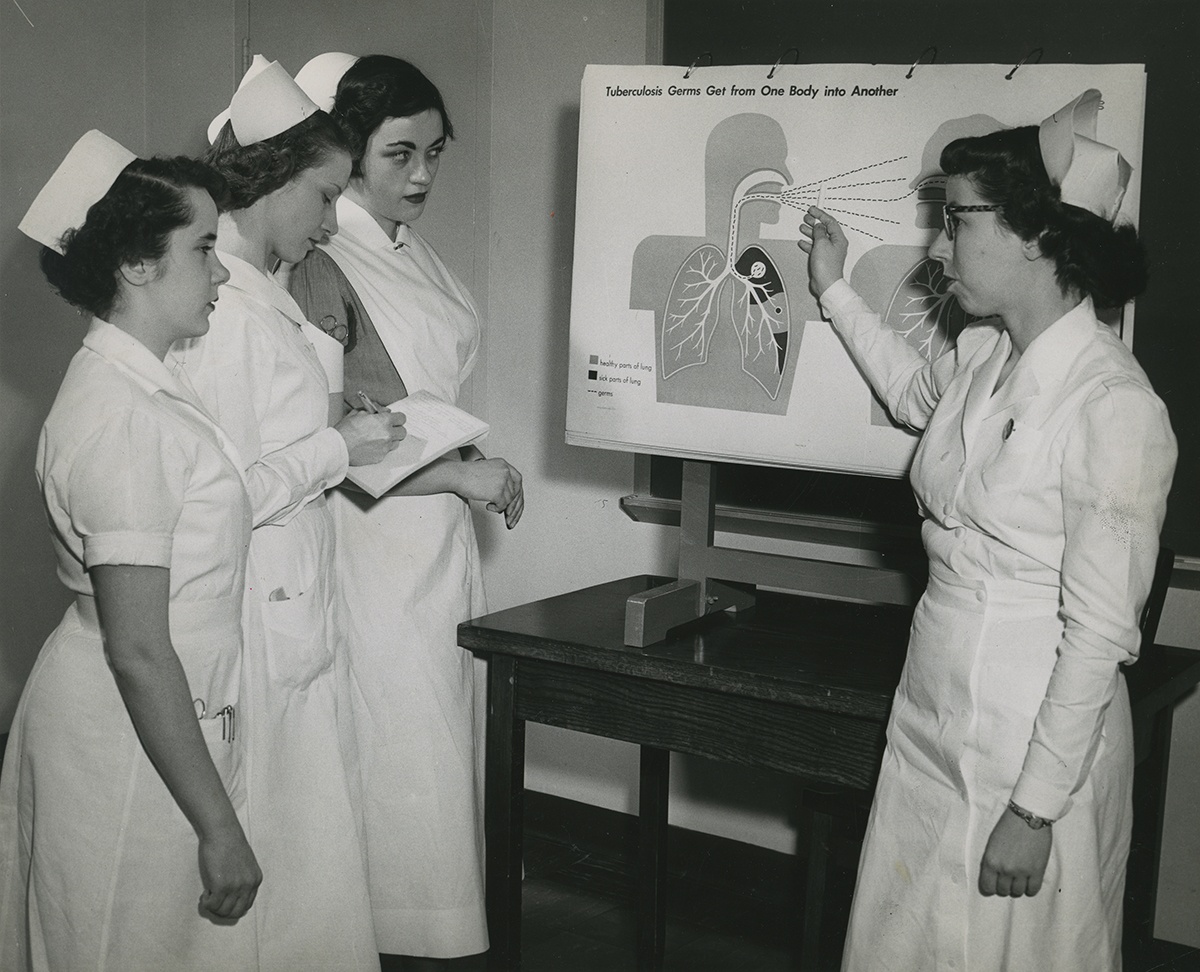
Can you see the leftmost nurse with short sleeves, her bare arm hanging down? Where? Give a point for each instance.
(123, 799)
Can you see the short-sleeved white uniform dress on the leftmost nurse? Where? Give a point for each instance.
(98, 863)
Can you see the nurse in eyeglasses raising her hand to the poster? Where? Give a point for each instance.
(1000, 830)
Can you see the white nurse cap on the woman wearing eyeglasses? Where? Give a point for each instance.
(1089, 173)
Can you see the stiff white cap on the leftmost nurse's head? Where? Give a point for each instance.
(82, 179)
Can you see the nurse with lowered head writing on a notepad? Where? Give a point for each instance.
(262, 377)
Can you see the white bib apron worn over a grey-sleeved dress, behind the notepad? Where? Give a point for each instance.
(412, 573)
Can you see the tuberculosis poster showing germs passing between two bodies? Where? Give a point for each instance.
(693, 328)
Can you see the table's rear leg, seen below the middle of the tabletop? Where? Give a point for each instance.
(652, 859)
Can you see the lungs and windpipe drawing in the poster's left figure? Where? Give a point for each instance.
(757, 307)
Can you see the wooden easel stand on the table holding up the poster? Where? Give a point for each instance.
(710, 575)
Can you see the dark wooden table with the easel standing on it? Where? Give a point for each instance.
(796, 685)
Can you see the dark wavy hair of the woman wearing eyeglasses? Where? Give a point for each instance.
(1091, 256)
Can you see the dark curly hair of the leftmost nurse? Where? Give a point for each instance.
(131, 223)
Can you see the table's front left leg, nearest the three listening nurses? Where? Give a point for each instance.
(505, 825)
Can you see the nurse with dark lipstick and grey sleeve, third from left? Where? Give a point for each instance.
(410, 562)
